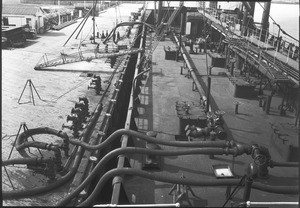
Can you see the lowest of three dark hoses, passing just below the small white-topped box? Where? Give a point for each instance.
(167, 178)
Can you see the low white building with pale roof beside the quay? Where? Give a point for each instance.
(20, 14)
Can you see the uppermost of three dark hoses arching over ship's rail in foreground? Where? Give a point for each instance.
(139, 135)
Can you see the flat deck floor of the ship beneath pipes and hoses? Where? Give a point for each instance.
(157, 112)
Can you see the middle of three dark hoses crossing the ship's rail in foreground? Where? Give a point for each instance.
(136, 150)
